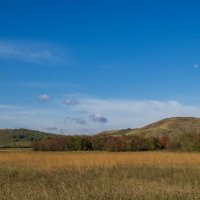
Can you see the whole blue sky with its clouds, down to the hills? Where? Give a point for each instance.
(79, 67)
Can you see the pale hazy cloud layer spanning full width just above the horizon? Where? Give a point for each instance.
(77, 119)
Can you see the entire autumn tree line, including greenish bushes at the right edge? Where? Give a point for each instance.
(186, 140)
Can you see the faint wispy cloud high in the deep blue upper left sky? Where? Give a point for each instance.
(34, 52)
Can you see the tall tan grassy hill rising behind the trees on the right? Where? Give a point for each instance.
(168, 126)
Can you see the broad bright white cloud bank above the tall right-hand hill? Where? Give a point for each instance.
(130, 113)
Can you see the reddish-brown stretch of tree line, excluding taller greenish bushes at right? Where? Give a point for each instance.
(100, 143)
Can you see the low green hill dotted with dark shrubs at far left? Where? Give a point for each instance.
(21, 137)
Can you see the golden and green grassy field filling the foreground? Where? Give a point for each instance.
(99, 175)
